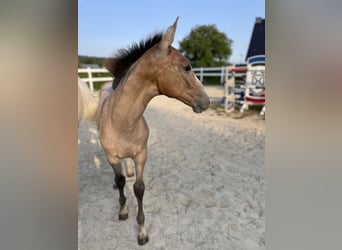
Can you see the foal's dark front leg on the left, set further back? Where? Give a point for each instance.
(120, 182)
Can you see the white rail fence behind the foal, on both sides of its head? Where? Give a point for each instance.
(200, 72)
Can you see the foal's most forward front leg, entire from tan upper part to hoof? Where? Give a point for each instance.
(139, 188)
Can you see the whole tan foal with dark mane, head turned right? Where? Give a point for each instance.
(142, 72)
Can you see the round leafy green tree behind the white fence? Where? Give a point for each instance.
(206, 46)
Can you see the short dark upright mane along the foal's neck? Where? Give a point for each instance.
(124, 58)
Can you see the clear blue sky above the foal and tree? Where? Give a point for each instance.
(107, 25)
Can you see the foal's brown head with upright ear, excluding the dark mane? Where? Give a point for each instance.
(173, 73)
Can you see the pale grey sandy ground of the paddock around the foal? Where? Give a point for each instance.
(204, 178)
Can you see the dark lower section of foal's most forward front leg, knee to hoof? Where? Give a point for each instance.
(139, 189)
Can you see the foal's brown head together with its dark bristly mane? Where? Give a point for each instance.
(163, 66)
